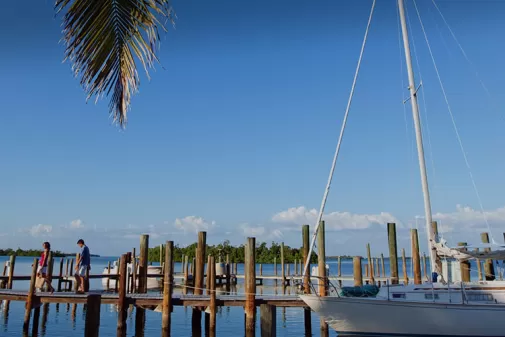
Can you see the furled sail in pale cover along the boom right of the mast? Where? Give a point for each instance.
(462, 253)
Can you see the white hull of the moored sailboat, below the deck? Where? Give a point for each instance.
(378, 317)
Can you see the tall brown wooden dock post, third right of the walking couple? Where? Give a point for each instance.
(167, 289)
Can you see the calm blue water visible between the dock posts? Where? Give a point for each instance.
(65, 320)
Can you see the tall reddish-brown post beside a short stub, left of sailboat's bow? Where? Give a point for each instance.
(250, 284)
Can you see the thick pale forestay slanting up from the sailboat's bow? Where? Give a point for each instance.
(337, 150)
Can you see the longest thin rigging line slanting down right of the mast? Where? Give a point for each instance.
(454, 125)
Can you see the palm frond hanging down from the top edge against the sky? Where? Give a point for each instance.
(105, 39)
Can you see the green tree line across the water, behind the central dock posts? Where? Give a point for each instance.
(264, 254)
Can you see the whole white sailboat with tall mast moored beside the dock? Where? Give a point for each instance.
(435, 308)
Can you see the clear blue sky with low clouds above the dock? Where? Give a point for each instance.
(236, 130)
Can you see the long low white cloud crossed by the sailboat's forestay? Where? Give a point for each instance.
(333, 221)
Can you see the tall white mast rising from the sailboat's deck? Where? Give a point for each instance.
(419, 140)
